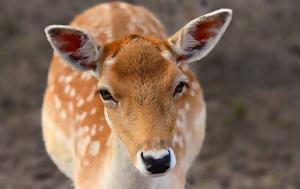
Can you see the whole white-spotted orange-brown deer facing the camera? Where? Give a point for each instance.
(122, 108)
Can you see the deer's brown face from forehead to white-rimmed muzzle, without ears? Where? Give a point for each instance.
(140, 90)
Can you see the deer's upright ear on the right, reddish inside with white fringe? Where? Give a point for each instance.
(196, 39)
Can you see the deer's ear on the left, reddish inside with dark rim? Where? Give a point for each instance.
(76, 47)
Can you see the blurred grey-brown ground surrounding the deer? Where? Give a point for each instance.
(251, 82)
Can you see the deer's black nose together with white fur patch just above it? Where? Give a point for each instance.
(157, 162)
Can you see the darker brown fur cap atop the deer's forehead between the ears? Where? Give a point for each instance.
(140, 57)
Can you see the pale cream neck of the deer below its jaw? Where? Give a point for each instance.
(120, 173)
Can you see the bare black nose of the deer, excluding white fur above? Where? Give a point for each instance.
(157, 165)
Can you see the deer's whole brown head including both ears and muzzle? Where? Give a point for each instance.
(140, 82)
